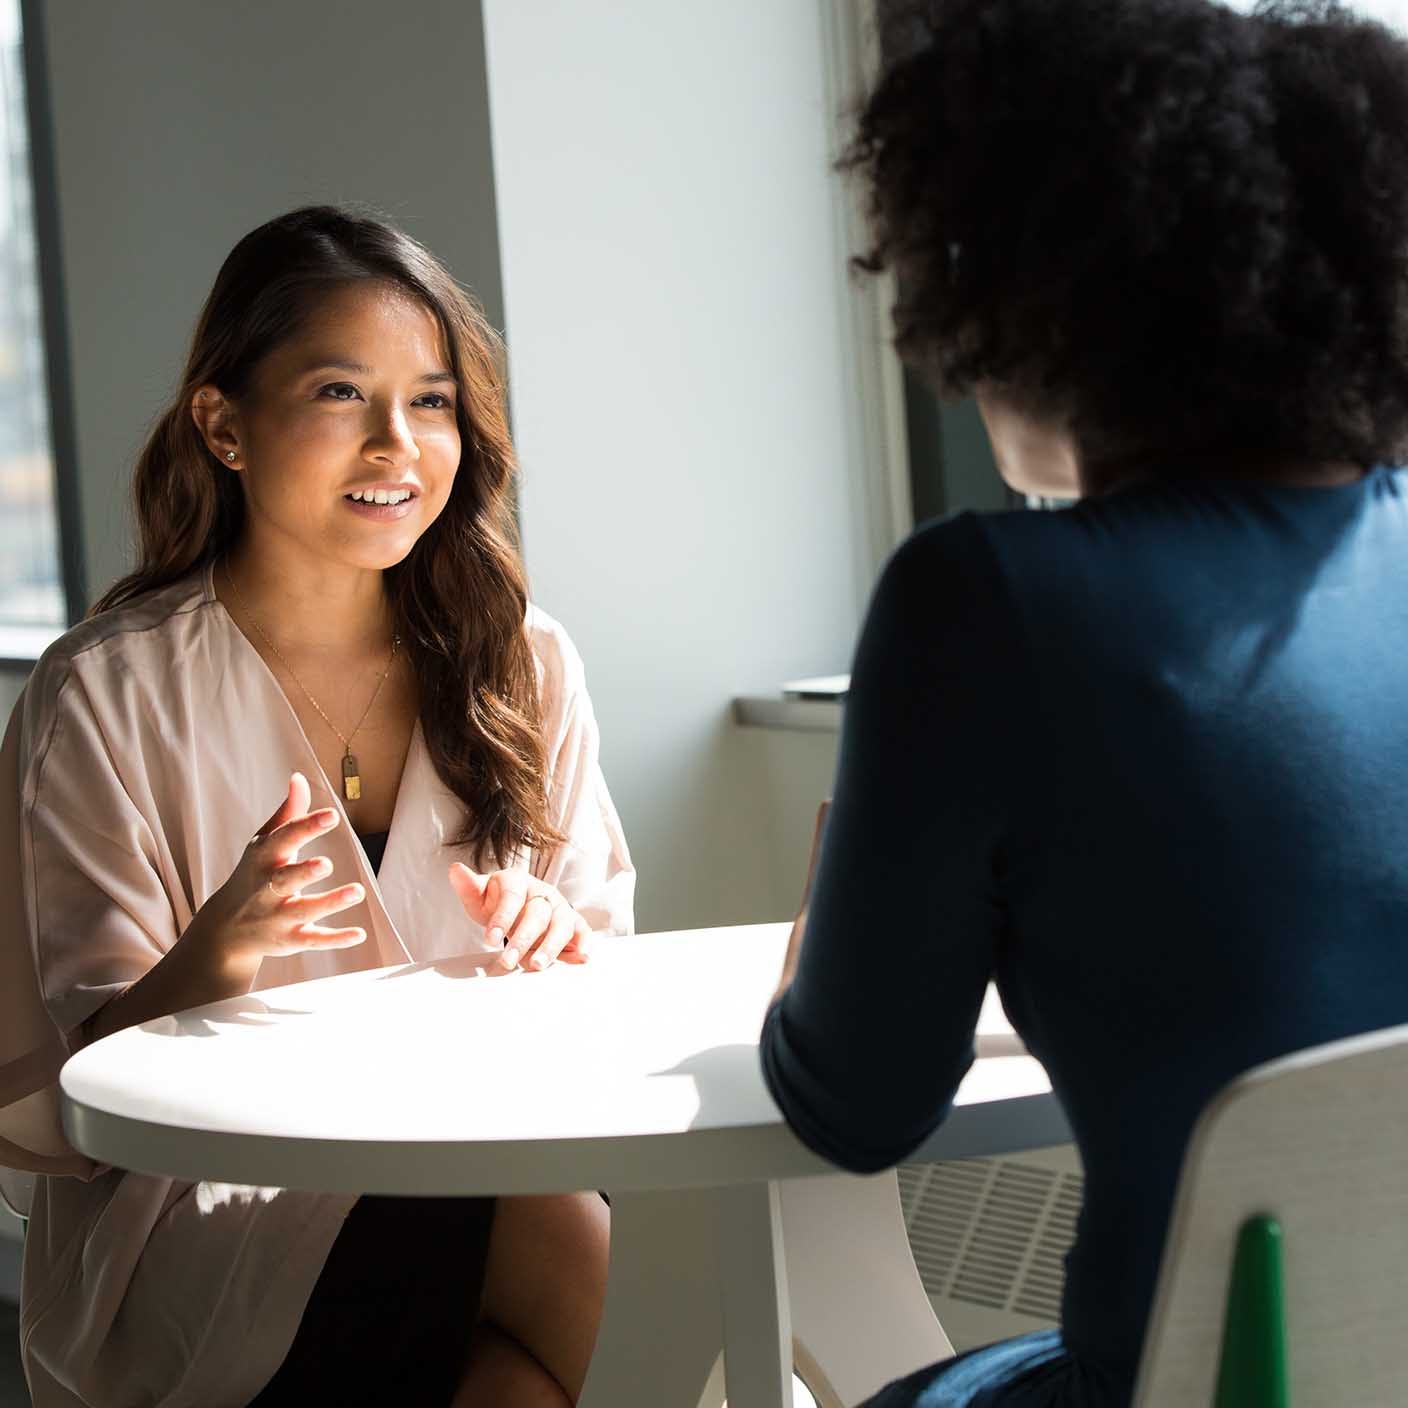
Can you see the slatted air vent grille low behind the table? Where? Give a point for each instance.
(992, 1233)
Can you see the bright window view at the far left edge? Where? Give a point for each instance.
(32, 585)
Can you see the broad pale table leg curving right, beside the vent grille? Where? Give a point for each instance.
(860, 1312)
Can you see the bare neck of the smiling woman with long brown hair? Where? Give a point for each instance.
(308, 608)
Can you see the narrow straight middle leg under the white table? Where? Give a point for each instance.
(754, 1283)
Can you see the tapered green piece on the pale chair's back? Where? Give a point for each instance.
(1252, 1372)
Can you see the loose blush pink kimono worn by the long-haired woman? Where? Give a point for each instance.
(150, 746)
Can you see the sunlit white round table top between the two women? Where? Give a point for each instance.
(636, 1071)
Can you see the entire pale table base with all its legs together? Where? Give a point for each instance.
(822, 1266)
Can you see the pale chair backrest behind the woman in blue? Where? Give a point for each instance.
(1319, 1143)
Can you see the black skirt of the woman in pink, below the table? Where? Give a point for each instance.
(391, 1316)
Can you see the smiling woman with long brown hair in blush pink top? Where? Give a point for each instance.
(329, 620)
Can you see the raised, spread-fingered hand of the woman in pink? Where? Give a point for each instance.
(261, 912)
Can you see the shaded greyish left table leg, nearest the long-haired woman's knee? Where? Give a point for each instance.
(661, 1327)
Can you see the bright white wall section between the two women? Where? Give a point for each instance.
(679, 379)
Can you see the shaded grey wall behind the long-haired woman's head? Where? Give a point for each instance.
(182, 125)
